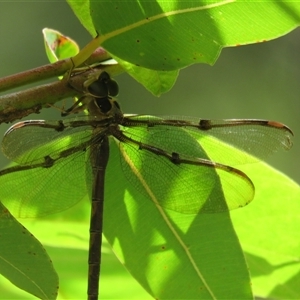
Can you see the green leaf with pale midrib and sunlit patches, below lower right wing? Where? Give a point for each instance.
(172, 255)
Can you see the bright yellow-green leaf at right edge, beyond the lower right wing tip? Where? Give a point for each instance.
(269, 233)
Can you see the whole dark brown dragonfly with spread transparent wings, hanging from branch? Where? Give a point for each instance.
(62, 160)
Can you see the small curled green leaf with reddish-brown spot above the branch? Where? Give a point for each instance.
(58, 46)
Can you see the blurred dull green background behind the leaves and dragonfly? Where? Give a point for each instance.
(255, 81)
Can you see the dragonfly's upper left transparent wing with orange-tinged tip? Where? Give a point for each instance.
(30, 141)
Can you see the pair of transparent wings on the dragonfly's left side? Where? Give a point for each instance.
(50, 176)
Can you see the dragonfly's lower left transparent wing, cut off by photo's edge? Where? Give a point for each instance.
(41, 191)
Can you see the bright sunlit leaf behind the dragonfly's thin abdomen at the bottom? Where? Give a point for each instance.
(66, 242)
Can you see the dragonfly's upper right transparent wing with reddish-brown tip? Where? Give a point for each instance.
(259, 138)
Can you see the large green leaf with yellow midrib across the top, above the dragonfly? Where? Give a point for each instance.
(169, 35)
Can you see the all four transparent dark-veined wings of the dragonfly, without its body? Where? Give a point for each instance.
(170, 160)
